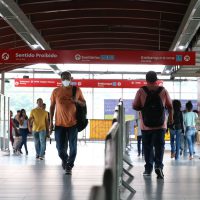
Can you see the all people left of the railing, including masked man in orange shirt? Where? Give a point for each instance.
(40, 124)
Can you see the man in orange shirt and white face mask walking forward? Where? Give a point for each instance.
(65, 120)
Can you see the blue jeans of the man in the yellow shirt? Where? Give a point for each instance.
(40, 142)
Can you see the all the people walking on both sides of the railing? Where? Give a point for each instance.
(156, 113)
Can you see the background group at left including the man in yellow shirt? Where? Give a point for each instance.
(21, 126)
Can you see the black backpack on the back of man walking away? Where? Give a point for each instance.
(153, 112)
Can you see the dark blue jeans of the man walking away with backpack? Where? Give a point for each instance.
(153, 145)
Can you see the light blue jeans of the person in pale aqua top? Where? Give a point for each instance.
(190, 135)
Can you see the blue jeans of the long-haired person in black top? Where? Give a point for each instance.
(175, 137)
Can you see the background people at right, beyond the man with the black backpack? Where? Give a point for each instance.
(184, 132)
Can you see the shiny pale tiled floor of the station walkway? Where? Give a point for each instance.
(24, 178)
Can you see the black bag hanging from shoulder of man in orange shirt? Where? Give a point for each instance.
(81, 113)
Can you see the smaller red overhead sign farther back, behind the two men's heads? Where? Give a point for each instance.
(87, 83)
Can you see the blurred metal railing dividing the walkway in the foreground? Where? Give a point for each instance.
(115, 154)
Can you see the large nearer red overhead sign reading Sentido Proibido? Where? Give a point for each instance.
(97, 57)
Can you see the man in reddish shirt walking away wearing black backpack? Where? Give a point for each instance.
(152, 100)
